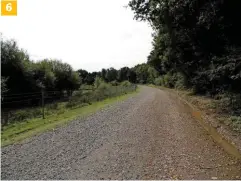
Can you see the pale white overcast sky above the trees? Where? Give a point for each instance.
(88, 34)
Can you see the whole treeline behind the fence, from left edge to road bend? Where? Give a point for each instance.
(21, 77)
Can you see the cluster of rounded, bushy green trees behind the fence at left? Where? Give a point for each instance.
(47, 74)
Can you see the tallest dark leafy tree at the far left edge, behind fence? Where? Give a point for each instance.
(16, 66)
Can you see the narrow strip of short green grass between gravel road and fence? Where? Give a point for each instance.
(19, 131)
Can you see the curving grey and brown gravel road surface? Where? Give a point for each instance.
(148, 136)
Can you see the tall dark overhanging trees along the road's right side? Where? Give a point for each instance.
(195, 39)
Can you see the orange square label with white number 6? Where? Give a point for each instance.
(9, 7)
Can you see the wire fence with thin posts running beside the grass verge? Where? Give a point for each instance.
(17, 107)
